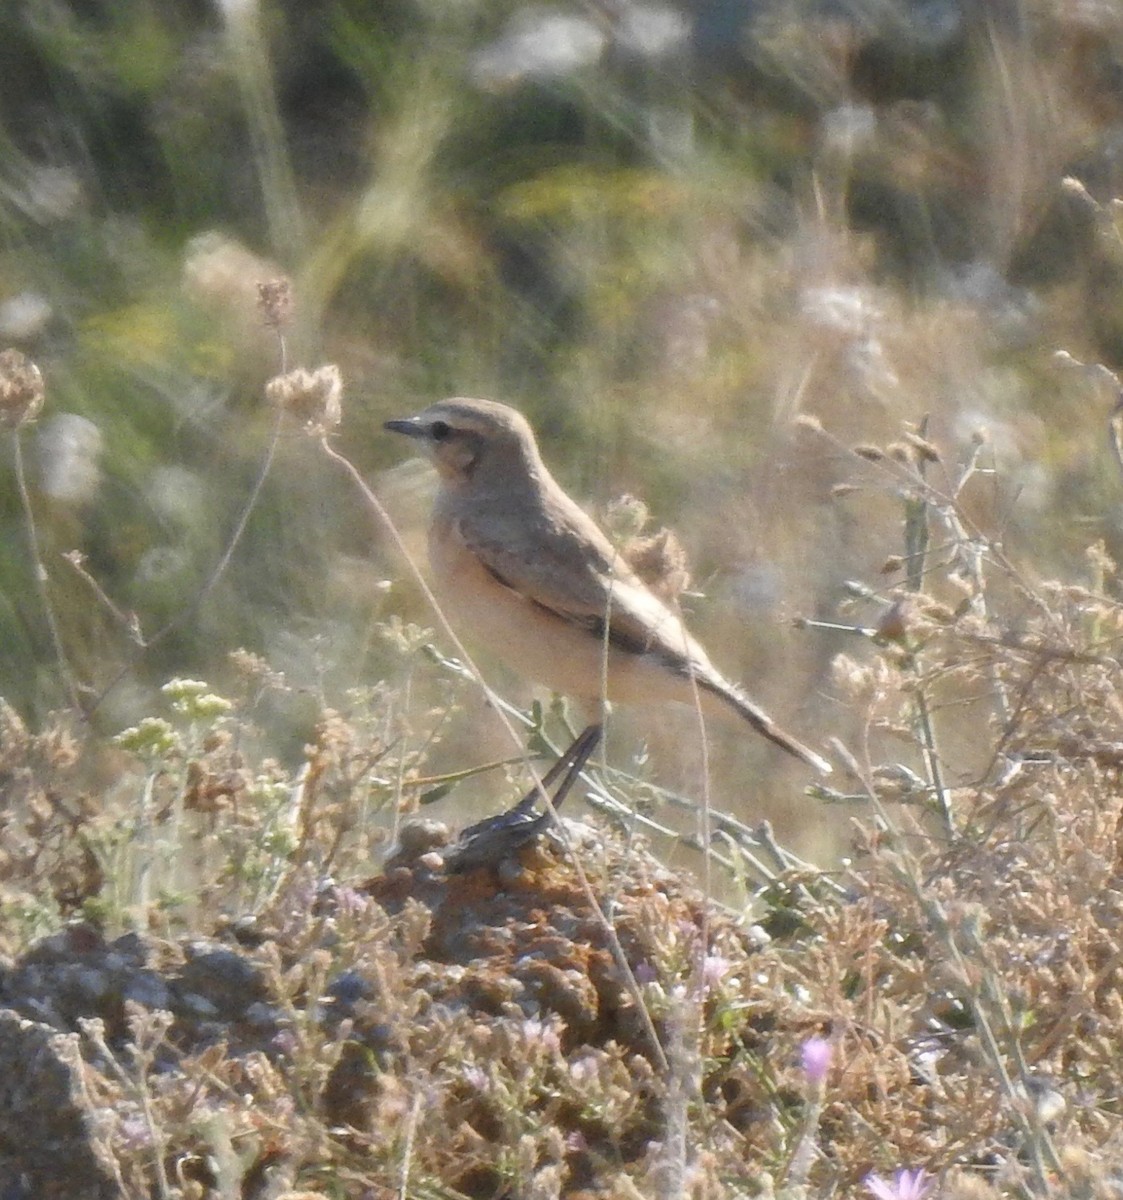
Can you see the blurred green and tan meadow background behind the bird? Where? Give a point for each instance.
(665, 231)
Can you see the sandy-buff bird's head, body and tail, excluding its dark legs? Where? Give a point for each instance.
(524, 571)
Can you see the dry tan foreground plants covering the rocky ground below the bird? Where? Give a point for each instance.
(278, 1023)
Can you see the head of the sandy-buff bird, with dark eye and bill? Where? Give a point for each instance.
(466, 437)
